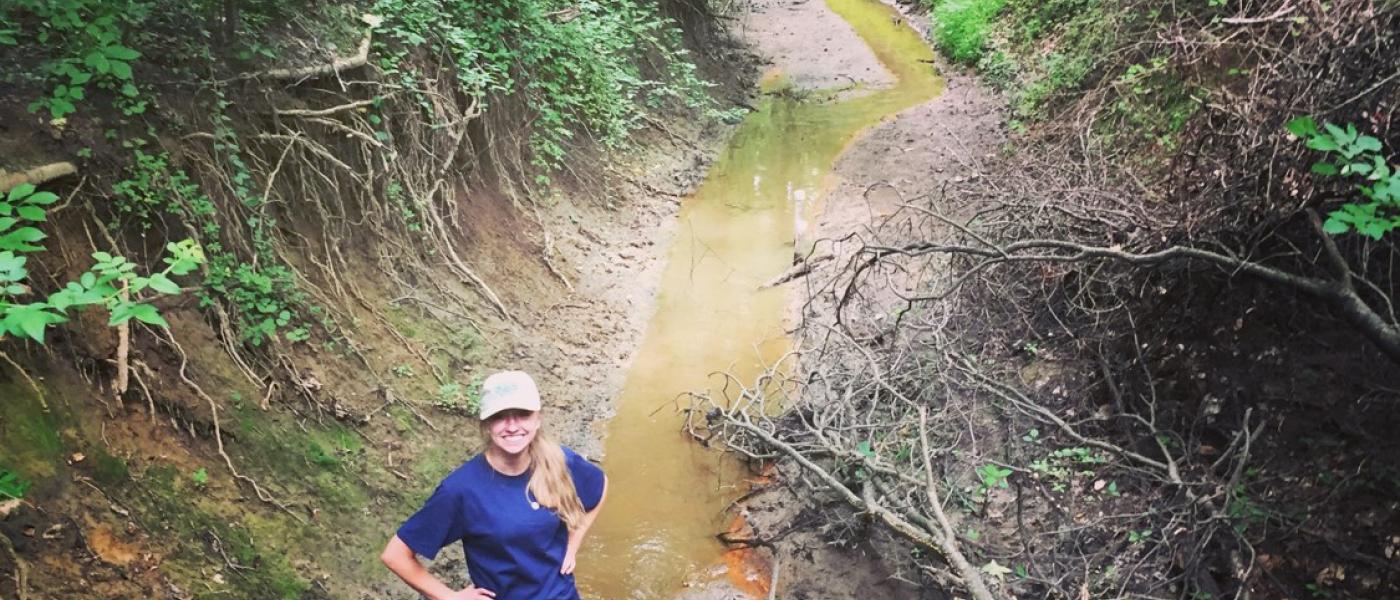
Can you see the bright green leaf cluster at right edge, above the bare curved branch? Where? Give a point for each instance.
(1354, 156)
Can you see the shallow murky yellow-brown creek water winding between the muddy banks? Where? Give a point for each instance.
(667, 494)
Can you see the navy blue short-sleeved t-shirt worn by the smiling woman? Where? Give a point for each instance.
(513, 548)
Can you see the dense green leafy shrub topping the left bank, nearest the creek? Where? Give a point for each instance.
(576, 65)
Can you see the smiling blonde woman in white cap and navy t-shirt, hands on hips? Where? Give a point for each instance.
(520, 508)
